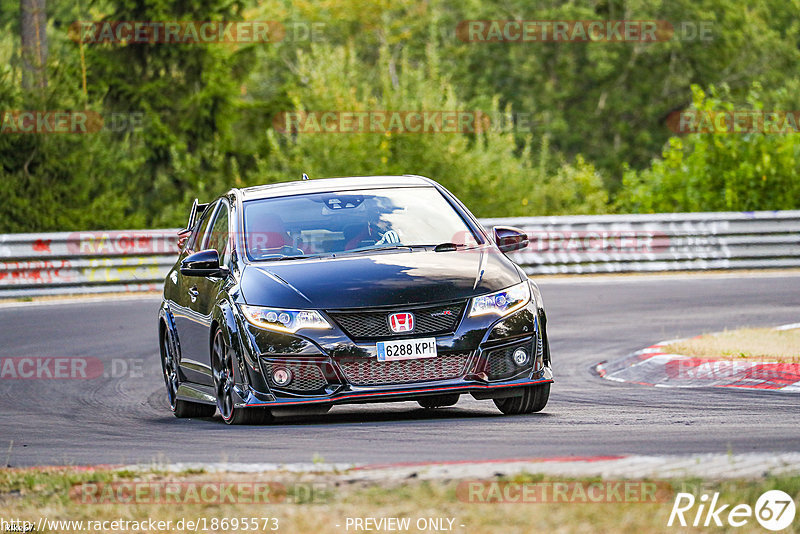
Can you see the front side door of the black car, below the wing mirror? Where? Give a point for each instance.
(203, 293)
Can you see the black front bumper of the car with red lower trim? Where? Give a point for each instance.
(334, 370)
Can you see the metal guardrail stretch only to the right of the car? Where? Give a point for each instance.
(658, 242)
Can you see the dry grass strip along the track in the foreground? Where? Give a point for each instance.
(317, 503)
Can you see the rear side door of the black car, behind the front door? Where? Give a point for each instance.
(183, 307)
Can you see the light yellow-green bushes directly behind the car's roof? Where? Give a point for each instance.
(487, 171)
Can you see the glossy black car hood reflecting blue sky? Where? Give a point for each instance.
(379, 279)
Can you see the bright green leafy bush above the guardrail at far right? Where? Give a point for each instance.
(718, 171)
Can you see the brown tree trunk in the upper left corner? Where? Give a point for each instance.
(33, 28)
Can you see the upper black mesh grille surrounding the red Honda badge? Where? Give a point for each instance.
(428, 320)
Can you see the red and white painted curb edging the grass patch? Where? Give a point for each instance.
(653, 366)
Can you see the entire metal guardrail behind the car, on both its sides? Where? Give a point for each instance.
(88, 262)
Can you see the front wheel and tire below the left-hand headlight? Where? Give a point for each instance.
(224, 380)
